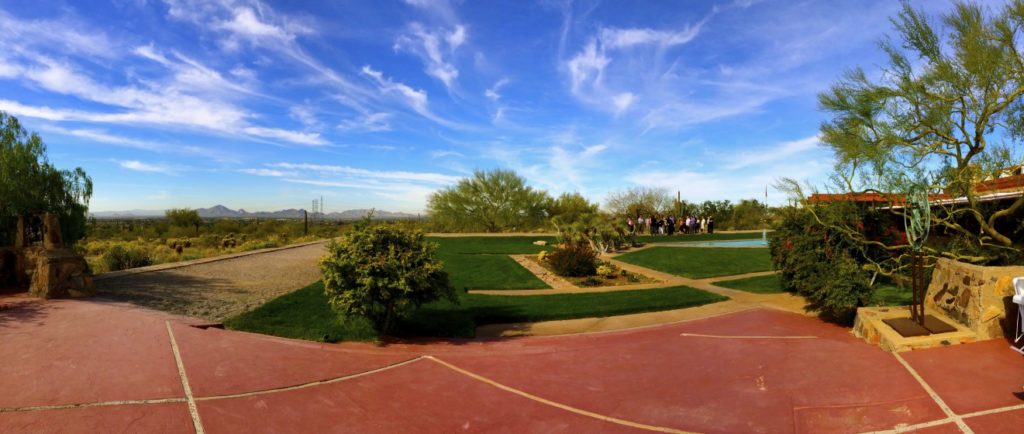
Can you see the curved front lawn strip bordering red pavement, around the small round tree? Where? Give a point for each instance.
(306, 314)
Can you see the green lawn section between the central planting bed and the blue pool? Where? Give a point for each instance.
(701, 263)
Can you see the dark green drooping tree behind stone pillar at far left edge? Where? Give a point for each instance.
(31, 186)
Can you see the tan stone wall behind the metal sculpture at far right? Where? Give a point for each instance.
(977, 297)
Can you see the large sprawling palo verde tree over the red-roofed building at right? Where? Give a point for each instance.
(949, 109)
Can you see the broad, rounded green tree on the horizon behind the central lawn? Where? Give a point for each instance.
(493, 202)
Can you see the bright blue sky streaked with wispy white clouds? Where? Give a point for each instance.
(266, 106)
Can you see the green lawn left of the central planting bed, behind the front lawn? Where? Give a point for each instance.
(483, 263)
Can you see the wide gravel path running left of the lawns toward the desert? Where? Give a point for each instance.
(219, 290)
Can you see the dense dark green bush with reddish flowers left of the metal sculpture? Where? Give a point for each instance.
(821, 265)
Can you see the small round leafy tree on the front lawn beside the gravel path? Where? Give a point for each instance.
(381, 272)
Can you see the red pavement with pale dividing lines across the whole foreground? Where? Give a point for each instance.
(96, 367)
